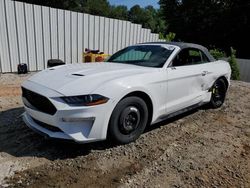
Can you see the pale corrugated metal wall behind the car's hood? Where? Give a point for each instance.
(33, 34)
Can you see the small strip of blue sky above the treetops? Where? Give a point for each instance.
(130, 3)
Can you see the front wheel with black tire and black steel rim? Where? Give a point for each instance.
(128, 120)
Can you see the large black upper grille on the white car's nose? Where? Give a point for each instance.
(38, 102)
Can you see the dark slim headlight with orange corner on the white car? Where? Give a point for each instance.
(85, 100)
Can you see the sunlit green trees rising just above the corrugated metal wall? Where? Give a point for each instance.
(148, 17)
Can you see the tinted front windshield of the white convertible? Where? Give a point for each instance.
(145, 55)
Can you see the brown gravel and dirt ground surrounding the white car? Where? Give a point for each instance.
(202, 148)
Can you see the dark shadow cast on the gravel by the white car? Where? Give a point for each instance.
(18, 140)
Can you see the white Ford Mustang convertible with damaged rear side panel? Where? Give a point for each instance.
(138, 86)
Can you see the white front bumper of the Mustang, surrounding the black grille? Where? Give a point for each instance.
(80, 124)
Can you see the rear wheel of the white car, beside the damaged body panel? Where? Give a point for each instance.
(219, 91)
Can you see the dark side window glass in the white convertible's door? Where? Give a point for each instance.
(190, 56)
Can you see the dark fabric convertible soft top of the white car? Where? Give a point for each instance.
(183, 45)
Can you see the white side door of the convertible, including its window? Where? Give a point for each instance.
(186, 78)
